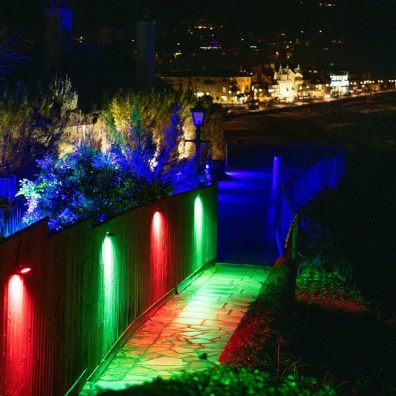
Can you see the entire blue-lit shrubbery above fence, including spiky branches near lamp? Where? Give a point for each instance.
(88, 182)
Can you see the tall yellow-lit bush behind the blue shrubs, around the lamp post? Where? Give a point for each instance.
(155, 110)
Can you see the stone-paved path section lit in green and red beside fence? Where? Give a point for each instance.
(189, 332)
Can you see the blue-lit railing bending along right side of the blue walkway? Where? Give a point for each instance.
(326, 173)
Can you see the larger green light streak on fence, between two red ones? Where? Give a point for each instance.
(108, 297)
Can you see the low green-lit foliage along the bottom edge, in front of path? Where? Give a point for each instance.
(228, 381)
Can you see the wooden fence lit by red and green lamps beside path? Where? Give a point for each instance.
(87, 284)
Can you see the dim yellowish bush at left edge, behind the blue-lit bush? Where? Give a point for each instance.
(32, 126)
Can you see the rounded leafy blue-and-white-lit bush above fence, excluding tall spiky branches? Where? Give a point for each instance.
(87, 183)
